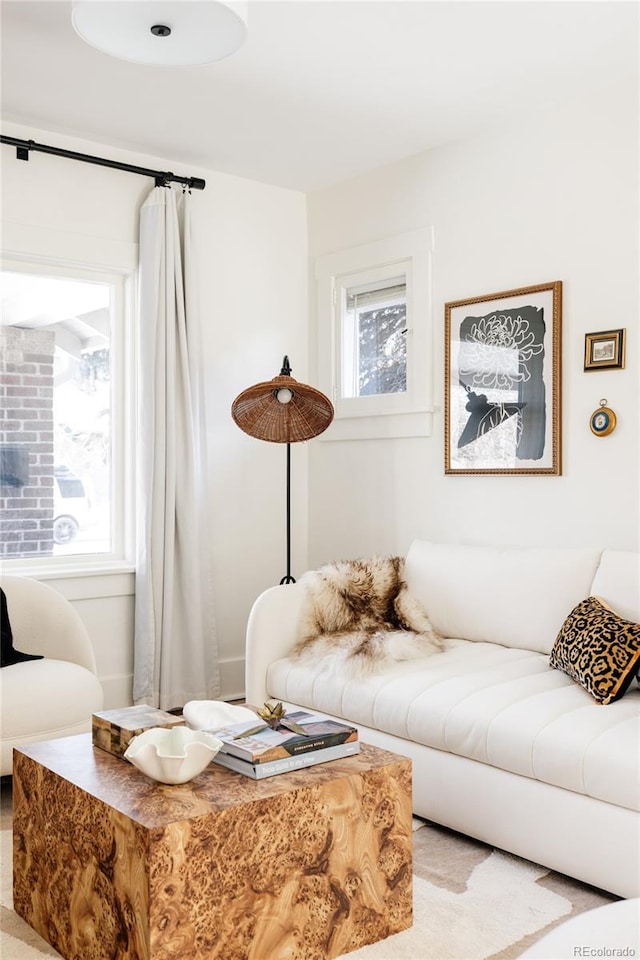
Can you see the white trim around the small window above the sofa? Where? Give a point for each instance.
(406, 415)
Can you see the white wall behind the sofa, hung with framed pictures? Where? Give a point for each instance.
(554, 199)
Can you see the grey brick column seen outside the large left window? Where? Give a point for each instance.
(26, 424)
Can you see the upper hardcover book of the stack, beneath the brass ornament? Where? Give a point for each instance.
(263, 746)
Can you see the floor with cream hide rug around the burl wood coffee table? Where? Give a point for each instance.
(471, 902)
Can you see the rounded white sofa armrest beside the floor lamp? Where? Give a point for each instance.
(272, 631)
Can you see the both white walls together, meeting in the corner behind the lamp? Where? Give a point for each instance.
(552, 200)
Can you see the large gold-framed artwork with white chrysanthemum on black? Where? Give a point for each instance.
(502, 382)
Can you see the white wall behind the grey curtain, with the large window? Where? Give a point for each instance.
(253, 262)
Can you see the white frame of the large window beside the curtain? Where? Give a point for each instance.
(122, 352)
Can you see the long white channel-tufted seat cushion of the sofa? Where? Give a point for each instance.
(498, 705)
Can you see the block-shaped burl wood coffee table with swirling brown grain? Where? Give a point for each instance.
(302, 866)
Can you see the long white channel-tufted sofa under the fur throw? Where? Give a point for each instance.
(504, 748)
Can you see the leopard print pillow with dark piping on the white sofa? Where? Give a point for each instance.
(598, 649)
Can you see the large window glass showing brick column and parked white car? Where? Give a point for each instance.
(61, 441)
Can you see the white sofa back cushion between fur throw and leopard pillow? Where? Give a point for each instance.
(515, 596)
